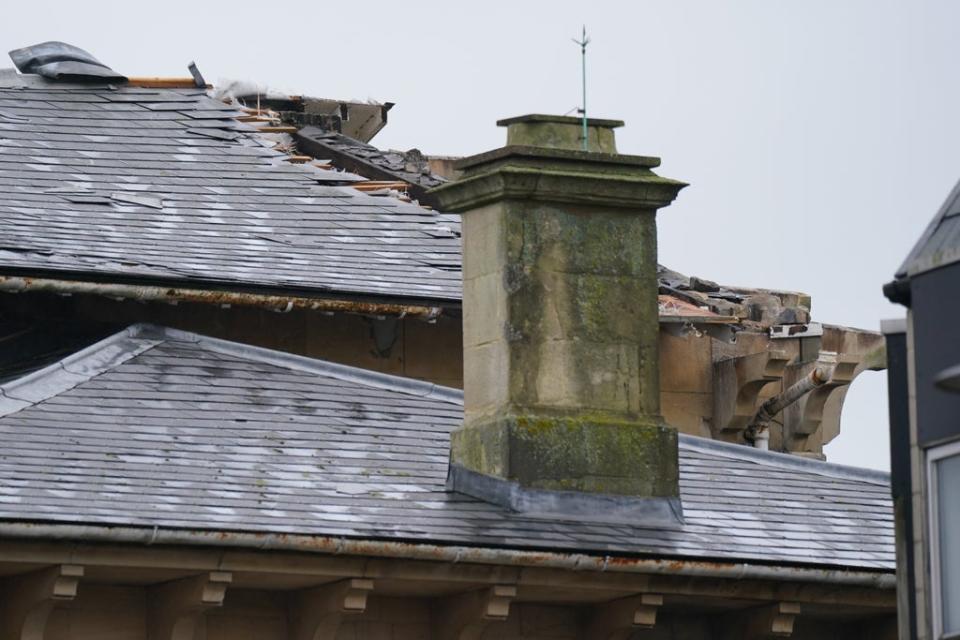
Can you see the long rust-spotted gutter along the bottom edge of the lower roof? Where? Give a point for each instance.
(879, 579)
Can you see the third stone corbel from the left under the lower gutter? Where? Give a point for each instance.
(316, 614)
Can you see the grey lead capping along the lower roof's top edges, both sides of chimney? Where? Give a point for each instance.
(135, 339)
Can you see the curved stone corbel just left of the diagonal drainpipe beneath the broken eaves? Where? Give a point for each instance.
(739, 383)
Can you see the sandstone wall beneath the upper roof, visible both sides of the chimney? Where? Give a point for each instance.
(709, 386)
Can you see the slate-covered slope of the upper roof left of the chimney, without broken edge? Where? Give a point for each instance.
(165, 185)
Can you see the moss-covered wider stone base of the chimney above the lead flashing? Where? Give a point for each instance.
(594, 454)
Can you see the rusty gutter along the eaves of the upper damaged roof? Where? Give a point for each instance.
(150, 293)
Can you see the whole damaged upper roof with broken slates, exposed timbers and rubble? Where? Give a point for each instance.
(168, 186)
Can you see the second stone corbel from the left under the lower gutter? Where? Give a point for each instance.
(176, 607)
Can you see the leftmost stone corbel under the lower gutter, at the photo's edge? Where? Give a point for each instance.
(29, 600)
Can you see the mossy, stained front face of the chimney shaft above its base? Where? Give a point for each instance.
(581, 284)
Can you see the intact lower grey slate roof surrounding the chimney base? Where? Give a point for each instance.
(159, 428)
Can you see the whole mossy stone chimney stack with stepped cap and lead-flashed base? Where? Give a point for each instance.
(560, 316)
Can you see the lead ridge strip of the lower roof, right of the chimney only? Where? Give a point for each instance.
(784, 460)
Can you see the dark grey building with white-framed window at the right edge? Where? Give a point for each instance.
(924, 376)
